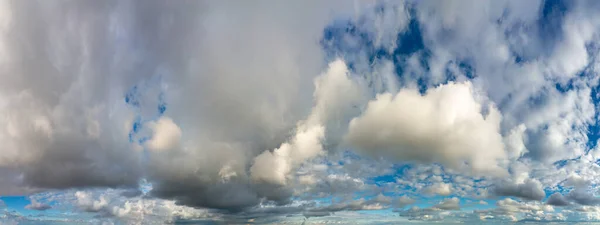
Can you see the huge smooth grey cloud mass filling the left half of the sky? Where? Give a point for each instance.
(71, 65)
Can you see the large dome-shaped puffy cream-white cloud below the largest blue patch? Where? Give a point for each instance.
(444, 125)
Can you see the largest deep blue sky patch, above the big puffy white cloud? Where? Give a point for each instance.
(352, 41)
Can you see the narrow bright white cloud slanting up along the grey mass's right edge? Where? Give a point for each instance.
(334, 91)
